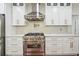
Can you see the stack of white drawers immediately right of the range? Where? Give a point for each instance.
(51, 46)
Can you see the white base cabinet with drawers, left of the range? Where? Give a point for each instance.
(14, 45)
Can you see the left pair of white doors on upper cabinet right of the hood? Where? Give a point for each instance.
(52, 15)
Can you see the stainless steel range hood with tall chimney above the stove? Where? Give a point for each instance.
(35, 15)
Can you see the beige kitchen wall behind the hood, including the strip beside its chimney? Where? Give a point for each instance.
(42, 27)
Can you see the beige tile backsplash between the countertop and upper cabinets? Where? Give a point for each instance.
(43, 28)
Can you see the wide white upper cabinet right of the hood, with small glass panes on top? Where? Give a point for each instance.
(58, 14)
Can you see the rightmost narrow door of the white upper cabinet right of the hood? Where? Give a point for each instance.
(68, 13)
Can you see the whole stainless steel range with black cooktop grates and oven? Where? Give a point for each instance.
(34, 44)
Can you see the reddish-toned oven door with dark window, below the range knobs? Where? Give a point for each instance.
(34, 49)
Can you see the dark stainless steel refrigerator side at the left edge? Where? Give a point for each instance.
(2, 34)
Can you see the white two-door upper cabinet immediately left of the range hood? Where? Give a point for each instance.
(18, 13)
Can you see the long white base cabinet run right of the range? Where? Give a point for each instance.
(61, 46)
